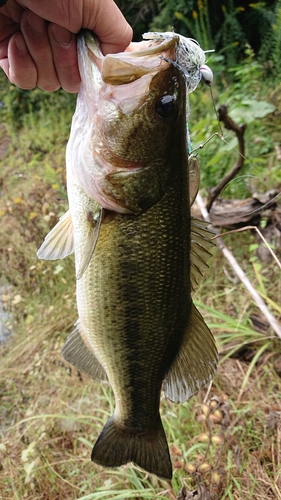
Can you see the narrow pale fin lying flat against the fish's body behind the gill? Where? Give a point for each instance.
(94, 224)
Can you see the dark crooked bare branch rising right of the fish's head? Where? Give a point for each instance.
(239, 131)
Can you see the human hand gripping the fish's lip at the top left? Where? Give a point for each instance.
(38, 39)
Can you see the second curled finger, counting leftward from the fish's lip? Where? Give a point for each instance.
(34, 30)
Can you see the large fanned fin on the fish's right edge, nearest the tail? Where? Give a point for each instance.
(195, 363)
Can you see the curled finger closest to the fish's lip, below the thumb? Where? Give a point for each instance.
(64, 44)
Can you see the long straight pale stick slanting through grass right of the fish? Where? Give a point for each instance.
(240, 273)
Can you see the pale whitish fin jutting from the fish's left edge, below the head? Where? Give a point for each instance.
(59, 242)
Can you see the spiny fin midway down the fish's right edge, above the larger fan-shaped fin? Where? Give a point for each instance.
(199, 249)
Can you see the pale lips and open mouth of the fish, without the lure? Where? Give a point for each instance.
(139, 59)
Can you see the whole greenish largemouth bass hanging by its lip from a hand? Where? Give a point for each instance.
(138, 253)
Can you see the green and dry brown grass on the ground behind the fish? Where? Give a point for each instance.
(227, 442)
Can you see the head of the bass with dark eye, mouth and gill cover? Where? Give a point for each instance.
(135, 105)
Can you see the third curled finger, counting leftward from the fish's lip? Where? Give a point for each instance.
(19, 66)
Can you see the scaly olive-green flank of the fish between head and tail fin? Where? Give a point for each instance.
(148, 300)
